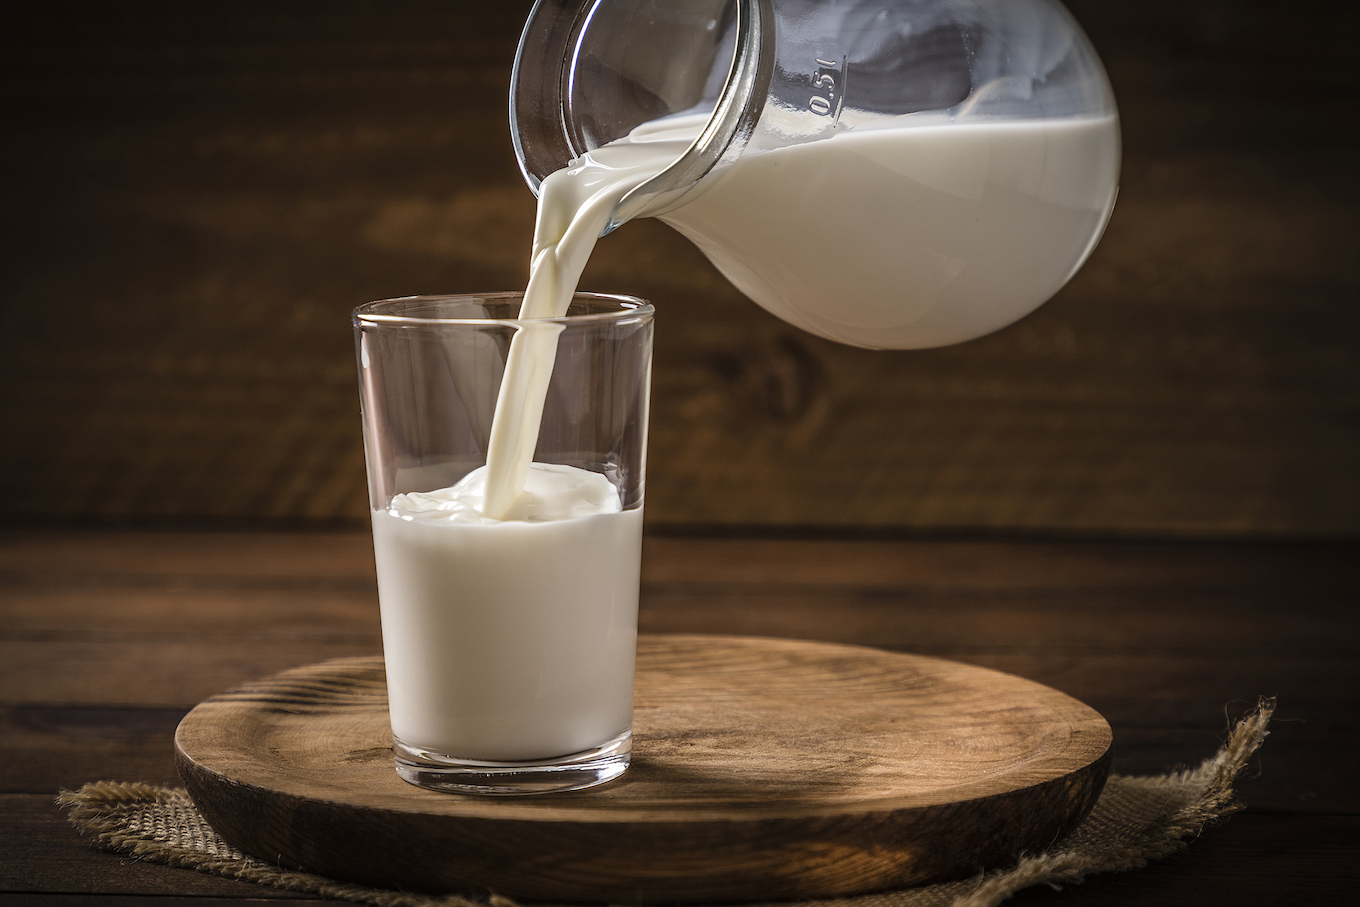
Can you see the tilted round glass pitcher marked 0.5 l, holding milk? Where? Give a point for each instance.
(885, 173)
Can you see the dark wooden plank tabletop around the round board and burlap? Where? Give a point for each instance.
(107, 640)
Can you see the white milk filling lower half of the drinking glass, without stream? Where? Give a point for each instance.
(511, 640)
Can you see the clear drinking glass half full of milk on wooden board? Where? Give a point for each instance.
(509, 641)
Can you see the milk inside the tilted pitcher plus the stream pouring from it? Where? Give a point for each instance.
(958, 220)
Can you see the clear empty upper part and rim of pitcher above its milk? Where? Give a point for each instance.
(777, 73)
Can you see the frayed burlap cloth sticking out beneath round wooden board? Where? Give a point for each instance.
(1135, 822)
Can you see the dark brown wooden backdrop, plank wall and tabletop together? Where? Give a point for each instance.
(1147, 494)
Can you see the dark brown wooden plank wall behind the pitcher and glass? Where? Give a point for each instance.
(198, 194)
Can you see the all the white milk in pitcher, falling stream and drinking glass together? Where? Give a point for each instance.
(543, 520)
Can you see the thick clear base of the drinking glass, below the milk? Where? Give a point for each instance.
(437, 772)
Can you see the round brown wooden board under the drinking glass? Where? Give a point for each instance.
(762, 770)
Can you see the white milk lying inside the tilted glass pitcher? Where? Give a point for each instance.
(916, 232)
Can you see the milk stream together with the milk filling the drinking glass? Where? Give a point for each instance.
(538, 659)
